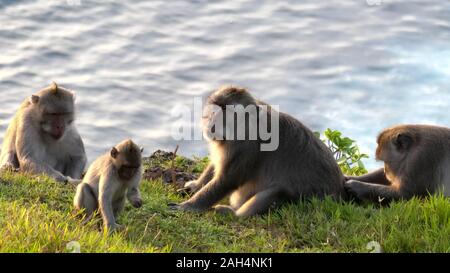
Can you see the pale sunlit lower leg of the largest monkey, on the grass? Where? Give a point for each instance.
(259, 203)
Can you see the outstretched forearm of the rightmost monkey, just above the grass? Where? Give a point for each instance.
(372, 192)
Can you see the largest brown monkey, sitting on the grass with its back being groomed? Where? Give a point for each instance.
(301, 165)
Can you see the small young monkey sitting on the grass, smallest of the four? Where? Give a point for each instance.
(110, 179)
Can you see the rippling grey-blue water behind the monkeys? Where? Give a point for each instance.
(355, 65)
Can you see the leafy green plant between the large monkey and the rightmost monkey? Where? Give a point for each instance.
(345, 151)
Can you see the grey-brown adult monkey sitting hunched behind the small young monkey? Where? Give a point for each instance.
(42, 137)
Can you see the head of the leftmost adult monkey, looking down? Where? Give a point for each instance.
(55, 112)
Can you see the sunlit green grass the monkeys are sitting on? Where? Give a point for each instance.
(36, 216)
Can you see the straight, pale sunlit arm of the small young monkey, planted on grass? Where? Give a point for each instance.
(106, 192)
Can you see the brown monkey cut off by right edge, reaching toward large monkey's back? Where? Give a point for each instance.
(416, 163)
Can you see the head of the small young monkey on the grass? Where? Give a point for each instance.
(128, 159)
